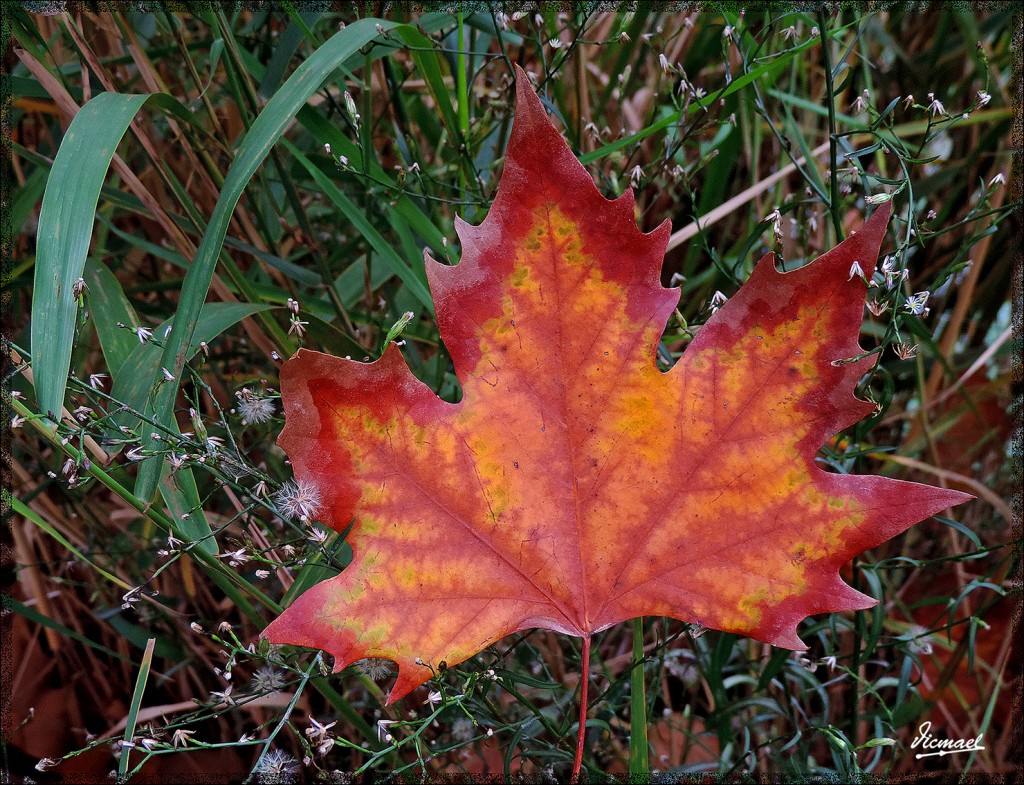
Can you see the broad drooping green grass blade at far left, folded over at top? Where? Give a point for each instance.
(65, 231)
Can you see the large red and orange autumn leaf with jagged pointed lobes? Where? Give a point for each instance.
(576, 486)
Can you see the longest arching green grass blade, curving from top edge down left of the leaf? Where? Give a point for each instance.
(266, 132)
